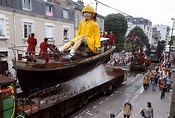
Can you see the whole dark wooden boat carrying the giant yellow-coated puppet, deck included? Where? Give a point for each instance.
(32, 75)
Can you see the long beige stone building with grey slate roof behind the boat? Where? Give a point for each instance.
(20, 18)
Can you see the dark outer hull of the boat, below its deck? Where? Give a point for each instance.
(33, 78)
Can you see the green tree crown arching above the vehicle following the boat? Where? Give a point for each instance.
(140, 33)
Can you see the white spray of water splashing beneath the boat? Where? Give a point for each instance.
(87, 81)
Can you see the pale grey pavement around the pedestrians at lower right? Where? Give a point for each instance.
(161, 107)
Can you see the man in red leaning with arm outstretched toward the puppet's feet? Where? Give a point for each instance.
(43, 50)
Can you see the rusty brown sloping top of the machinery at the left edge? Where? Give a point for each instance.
(5, 80)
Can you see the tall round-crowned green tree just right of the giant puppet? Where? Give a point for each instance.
(117, 23)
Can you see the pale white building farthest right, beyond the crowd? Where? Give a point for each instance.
(164, 31)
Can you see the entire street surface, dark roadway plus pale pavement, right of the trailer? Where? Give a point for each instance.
(103, 106)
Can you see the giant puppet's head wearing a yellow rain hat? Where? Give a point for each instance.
(88, 12)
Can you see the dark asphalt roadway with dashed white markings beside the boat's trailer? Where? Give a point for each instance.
(103, 106)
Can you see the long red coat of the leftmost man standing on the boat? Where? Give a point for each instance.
(32, 42)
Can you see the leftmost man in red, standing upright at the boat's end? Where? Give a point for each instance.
(32, 42)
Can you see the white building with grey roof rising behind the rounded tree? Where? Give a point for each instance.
(145, 24)
